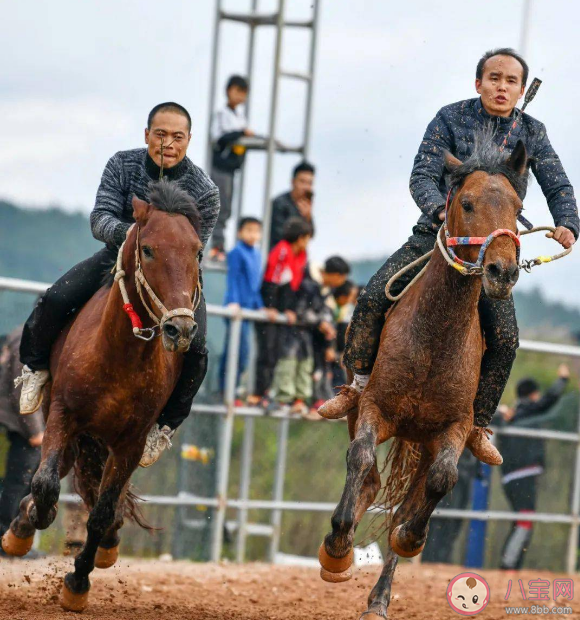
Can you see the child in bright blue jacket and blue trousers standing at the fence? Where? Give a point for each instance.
(243, 288)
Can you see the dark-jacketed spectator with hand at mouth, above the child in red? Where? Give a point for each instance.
(295, 203)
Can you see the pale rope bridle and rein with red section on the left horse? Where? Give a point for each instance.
(140, 283)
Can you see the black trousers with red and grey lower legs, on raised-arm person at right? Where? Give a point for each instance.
(521, 495)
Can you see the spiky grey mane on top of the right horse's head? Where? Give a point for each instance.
(487, 157)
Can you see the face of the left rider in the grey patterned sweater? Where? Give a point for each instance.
(173, 128)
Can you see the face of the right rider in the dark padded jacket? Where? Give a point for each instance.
(501, 85)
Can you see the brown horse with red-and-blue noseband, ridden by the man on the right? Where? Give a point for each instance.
(425, 378)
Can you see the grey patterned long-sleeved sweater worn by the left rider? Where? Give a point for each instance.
(129, 173)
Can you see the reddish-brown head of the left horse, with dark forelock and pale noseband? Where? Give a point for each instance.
(166, 238)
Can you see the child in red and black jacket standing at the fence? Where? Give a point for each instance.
(282, 281)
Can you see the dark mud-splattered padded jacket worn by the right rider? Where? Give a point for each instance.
(454, 129)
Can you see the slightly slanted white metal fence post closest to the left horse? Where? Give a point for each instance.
(225, 443)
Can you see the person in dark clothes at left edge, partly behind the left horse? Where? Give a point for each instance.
(24, 434)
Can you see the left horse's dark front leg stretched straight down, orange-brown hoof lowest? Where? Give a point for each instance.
(118, 470)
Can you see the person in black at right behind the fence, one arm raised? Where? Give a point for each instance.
(524, 459)
